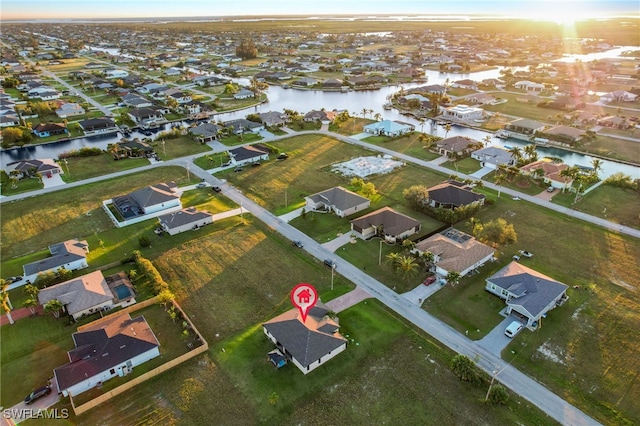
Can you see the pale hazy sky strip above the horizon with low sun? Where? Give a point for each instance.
(105, 9)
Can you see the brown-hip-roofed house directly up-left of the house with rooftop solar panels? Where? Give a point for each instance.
(386, 222)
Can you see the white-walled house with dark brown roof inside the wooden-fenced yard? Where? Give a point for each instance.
(105, 349)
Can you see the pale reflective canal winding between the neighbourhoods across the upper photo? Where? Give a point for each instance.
(354, 102)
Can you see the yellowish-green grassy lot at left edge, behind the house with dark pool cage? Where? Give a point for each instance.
(32, 224)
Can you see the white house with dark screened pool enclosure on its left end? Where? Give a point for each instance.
(149, 200)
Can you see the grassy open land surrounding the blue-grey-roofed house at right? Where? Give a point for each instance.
(592, 377)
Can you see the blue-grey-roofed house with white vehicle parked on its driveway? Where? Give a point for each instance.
(527, 293)
